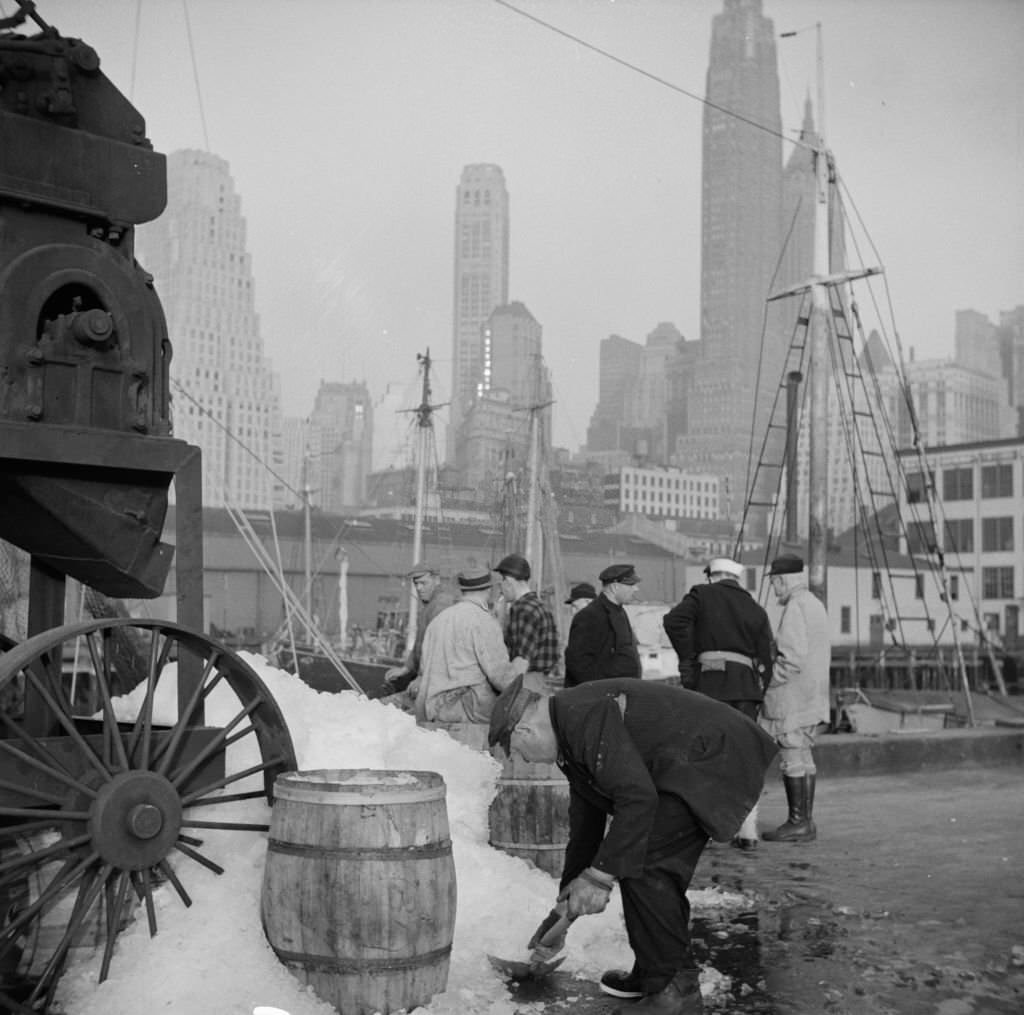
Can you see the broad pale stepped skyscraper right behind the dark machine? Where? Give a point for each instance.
(226, 398)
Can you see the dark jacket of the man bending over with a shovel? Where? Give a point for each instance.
(624, 744)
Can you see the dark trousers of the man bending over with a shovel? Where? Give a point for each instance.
(656, 908)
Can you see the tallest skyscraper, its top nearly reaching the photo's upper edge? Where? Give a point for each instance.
(741, 216)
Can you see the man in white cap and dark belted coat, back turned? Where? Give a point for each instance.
(723, 640)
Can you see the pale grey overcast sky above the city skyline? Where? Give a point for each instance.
(348, 123)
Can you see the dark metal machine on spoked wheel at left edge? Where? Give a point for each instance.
(98, 811)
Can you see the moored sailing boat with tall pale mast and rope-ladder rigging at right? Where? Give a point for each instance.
(832, 425)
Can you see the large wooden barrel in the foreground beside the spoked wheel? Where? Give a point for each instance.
(359, 890)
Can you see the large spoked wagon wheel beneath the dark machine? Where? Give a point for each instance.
(93, 817)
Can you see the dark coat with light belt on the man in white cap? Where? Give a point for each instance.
(721, 616)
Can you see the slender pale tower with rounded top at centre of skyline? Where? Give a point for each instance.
(482, 283)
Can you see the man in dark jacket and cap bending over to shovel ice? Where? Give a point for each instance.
(654, 773)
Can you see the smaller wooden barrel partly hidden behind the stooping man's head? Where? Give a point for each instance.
(530, 817)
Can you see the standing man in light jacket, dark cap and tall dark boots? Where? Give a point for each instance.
(797, 699)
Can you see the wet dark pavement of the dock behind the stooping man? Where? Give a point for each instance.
(912, 902)
